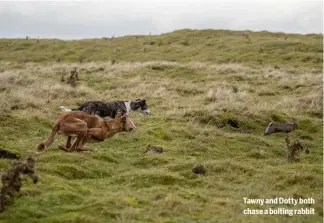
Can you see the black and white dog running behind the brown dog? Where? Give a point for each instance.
(109, 110)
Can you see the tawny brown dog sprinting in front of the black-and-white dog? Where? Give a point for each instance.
(84, 127)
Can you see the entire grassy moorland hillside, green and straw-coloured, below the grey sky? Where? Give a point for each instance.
(190, 99)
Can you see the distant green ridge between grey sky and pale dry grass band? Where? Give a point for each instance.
(217, 46)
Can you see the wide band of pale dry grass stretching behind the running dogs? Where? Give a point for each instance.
(256, 91)
